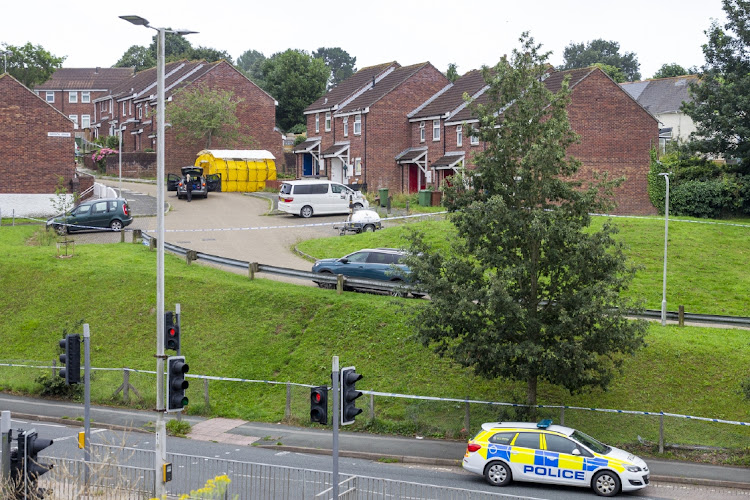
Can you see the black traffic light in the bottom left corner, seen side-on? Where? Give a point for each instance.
(24, 464)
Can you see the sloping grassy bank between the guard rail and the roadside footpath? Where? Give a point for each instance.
(266, 330)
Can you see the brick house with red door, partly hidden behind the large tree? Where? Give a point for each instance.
(616, 134)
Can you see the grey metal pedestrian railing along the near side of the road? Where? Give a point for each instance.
(124, 473)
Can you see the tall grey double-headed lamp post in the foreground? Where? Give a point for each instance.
(161, 430)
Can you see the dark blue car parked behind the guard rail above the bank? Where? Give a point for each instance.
(383, 264)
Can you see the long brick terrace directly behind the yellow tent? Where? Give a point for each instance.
(132, 106)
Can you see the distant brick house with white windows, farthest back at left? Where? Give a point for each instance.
(72, 91)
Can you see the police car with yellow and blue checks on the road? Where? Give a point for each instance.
(546, 453)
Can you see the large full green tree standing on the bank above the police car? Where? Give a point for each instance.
(528, 291)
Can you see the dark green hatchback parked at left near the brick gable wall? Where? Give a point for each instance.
(109, 213)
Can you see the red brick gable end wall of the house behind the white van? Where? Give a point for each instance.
(388, 131)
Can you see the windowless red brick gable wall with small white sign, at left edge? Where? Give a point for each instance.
(32, 162)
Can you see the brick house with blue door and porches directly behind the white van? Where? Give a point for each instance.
(355, 131)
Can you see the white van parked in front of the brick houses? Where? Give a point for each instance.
(308, 197)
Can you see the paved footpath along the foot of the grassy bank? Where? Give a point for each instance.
(319, 441)
